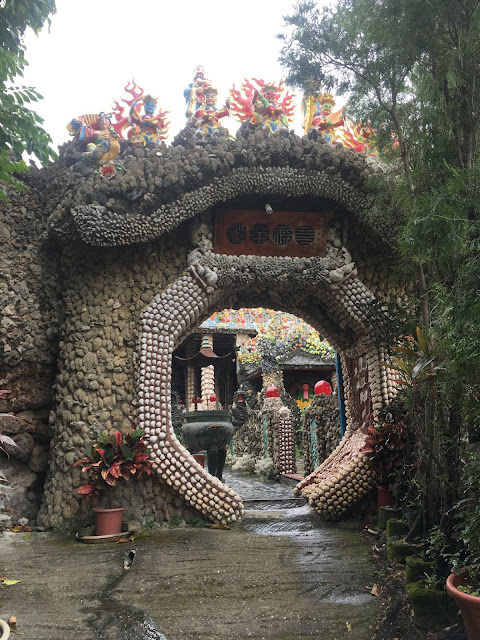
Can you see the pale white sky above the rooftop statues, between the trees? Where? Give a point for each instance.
(95, 47)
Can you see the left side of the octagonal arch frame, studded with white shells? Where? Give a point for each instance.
(170, 316)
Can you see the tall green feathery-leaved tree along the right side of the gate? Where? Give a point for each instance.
(412, 68)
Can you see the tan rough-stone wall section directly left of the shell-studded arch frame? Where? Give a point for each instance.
(95, 391)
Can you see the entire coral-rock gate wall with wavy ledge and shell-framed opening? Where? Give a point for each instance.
(105, 278)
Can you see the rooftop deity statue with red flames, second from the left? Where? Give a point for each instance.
(142, 125)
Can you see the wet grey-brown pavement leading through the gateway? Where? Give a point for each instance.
(279, 575)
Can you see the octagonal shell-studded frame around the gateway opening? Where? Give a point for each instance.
(213, 281)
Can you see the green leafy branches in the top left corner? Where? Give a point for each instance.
(20, 126)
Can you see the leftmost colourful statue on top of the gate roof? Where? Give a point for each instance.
(96, 135)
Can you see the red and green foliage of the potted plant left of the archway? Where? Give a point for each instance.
(114, 458)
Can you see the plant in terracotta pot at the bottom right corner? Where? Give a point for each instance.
(463, 584)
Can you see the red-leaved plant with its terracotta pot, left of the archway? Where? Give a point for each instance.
(113, 458)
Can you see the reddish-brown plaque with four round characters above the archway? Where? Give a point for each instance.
(282, 233)
